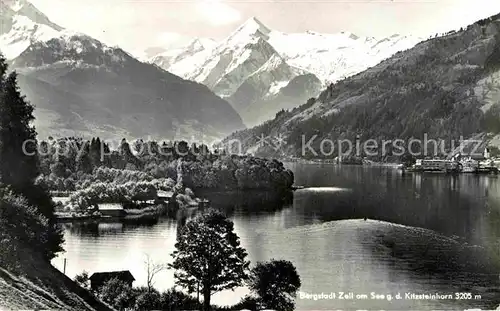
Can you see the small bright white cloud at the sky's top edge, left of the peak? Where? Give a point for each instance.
(218, 13)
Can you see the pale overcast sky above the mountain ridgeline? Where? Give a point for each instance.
(137, 25)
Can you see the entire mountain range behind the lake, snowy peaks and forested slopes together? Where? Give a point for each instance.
(332, 86)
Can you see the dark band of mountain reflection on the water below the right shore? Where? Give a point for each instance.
(452, 205)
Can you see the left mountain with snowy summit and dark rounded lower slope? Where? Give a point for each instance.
(82, 87)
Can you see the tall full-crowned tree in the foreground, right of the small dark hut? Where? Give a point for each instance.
(208, 256)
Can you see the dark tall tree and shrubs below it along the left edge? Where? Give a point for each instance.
(26, 210)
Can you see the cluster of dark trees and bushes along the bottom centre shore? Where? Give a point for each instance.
(208, 259)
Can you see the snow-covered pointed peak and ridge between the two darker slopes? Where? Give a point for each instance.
(261, 71)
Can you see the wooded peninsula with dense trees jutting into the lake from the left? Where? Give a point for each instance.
(136, 175)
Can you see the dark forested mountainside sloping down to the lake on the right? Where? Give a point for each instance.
(446, 87)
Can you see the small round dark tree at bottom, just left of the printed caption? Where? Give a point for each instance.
(276, 283)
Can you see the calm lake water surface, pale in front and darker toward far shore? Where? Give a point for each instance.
(331, 254)
